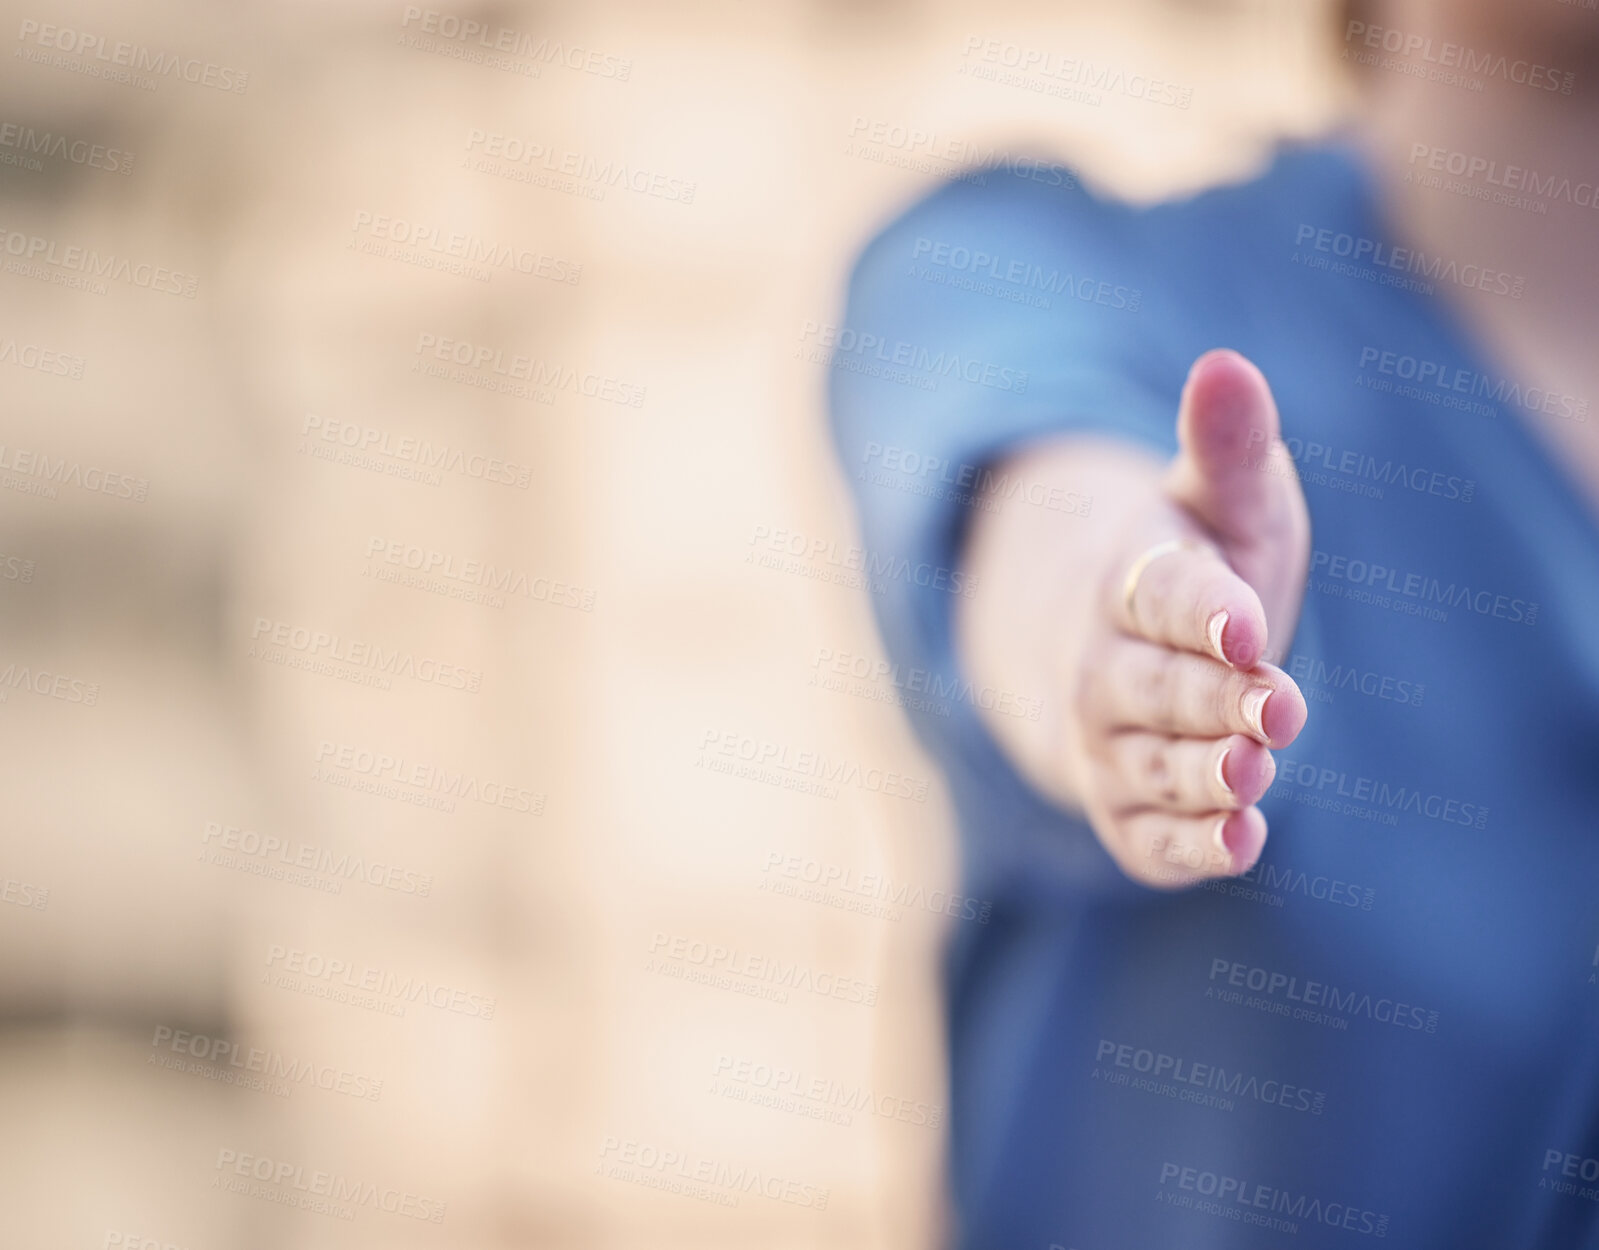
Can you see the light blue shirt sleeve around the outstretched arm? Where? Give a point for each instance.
(992, 314)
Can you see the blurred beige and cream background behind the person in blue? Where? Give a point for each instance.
(596, 719)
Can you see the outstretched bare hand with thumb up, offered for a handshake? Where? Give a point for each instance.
(1163, 709)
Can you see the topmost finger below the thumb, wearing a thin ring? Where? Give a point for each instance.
(1186, 595)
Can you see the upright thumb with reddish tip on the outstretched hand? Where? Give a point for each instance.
(1232, 471)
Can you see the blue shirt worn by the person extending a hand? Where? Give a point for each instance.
(1390, 1029)
